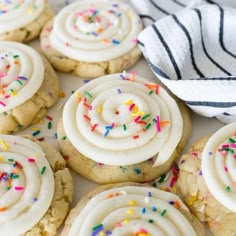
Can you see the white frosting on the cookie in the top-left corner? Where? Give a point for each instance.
(15, 14)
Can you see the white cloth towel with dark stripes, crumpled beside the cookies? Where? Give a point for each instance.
(192, 49)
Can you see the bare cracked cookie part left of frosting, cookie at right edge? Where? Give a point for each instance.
(197, 196)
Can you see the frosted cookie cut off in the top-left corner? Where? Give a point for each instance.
(23, 20)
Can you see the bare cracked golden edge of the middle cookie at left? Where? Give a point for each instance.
(34, 109)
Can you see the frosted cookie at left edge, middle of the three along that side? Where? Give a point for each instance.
(28, 86)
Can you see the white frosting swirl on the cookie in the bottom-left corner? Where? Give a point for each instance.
(26, 185)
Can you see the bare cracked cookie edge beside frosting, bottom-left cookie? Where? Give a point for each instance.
(59, 207)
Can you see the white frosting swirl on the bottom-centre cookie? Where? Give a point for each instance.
(131, 211)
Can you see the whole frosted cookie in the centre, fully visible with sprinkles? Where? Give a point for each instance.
(122, 128)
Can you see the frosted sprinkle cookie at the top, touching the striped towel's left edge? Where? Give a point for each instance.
(92, 38)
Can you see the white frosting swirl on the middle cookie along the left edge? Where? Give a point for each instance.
(21, 74)
